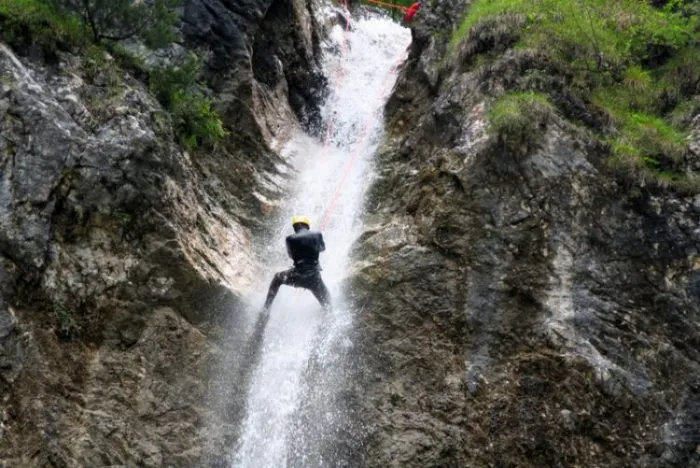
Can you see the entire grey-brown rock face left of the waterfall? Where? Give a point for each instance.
(121, 256)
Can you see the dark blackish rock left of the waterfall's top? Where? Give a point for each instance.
(279, 38)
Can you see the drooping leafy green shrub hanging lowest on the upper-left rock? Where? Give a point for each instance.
(194, 120)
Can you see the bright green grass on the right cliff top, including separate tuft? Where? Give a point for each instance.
(637, 63)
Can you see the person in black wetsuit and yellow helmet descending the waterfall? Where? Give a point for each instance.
(303, 247)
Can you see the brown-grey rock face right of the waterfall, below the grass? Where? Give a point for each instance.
(517, 306)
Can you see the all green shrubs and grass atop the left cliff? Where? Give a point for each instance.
(95, 27)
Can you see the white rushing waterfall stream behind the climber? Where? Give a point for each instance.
(361, 65)
